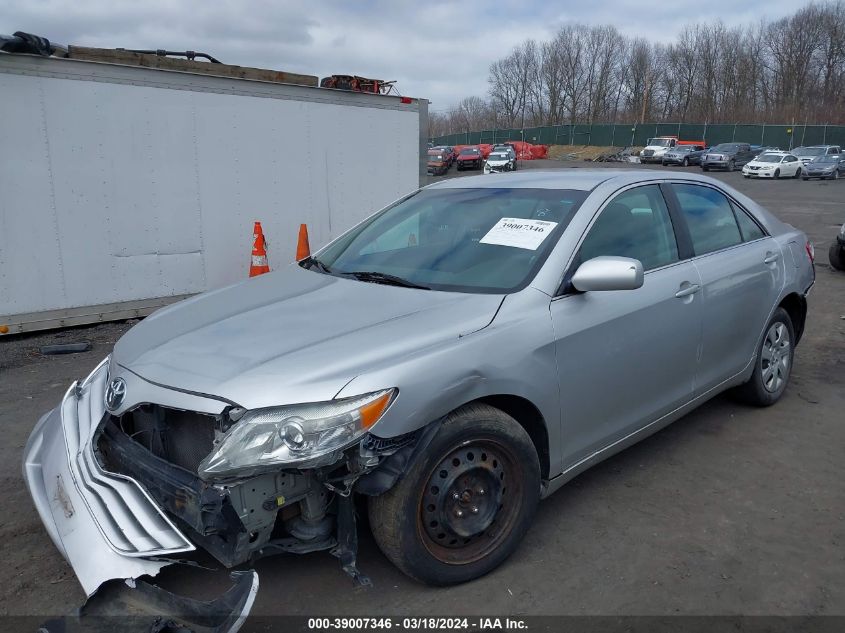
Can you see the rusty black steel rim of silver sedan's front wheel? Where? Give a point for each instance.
(470, 503)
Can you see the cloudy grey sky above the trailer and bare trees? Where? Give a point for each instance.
(436, 49)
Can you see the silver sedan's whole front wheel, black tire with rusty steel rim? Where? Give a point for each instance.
(484, 456)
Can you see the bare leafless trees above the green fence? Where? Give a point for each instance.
(790, 70)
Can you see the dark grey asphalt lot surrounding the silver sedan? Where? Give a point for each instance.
(731, 510)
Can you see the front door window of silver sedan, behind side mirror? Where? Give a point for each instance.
(634, 224)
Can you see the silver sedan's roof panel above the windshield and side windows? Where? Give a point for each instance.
(574, 178)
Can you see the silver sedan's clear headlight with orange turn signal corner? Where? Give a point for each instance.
(293, 436)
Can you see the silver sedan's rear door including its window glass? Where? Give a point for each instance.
(741, 270)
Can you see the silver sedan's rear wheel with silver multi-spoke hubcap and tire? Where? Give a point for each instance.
(771, 376)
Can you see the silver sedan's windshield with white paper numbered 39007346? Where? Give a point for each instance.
(484, 240)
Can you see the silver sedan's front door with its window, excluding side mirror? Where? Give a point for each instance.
(628, 357)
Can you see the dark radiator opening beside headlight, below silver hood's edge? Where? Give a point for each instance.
(183, 438)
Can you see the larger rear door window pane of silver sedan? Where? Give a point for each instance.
(711, 221)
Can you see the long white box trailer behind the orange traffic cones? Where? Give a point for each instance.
(124, 188)
